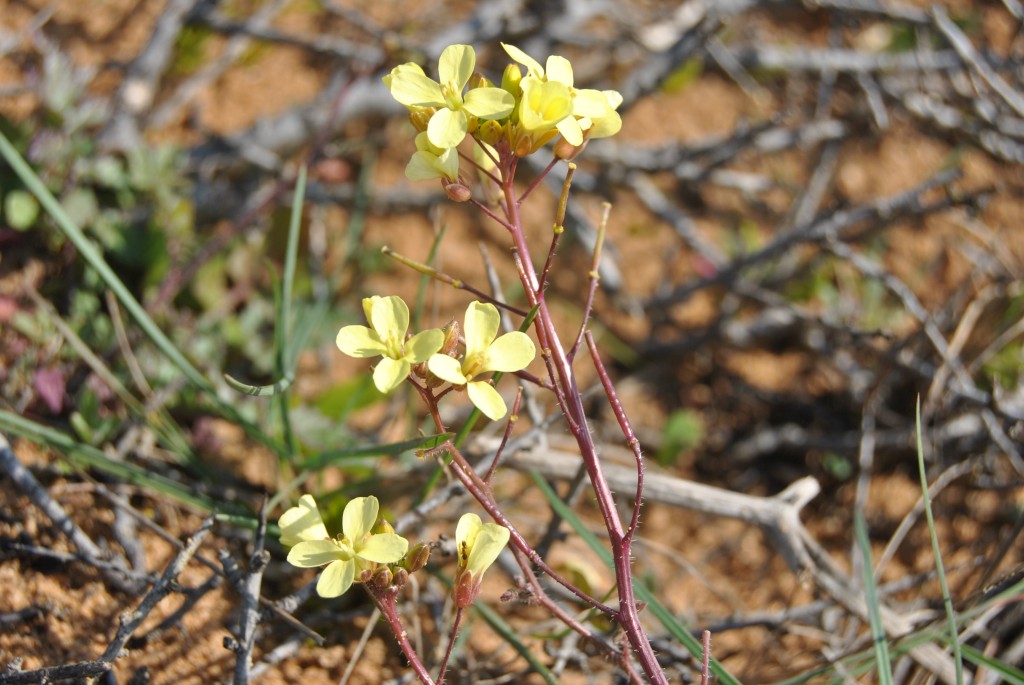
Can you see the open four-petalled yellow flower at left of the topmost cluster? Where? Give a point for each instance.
(450, 123)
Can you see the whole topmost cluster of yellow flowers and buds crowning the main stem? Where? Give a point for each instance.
(518, 118)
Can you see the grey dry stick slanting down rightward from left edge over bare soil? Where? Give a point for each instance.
(115, 570)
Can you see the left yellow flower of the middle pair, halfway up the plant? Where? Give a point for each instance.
(389, 318)
